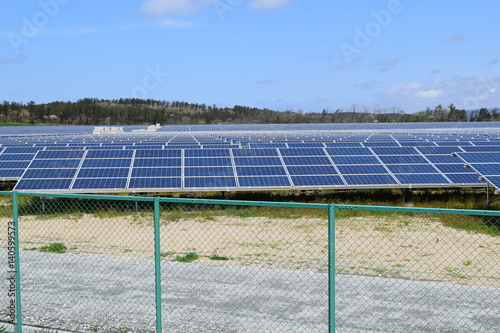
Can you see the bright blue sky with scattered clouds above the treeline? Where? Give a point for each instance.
(279, 54)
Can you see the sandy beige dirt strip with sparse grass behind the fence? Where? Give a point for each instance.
(422, 248)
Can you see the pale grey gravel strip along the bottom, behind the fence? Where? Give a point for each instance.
(116, 294)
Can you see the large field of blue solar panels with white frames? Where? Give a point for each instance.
(239, 157)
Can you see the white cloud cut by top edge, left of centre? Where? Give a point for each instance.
(173, 7)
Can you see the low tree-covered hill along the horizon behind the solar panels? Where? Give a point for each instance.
(90, 111)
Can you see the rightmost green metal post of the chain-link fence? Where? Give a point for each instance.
(331, 268)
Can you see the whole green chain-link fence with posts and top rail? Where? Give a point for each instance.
(98, 263)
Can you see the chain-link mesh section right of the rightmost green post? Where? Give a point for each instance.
(417, 272)
